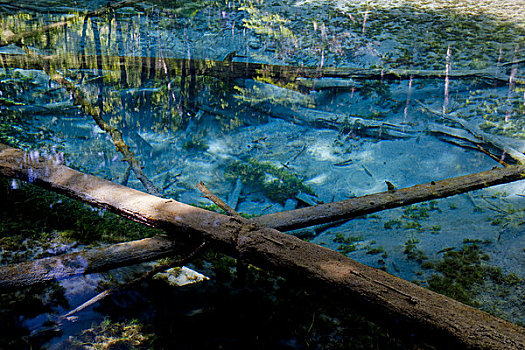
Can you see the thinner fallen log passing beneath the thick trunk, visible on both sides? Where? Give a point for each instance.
(158, 247)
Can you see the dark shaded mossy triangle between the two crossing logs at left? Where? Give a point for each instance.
(33, 223)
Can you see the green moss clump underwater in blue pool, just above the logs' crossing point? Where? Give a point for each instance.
(278, 184)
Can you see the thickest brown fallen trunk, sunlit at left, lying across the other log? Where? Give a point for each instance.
(446, 320)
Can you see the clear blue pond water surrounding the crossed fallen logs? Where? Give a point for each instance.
(277, 105)
